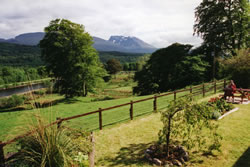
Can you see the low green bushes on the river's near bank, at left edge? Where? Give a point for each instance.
(12, 101)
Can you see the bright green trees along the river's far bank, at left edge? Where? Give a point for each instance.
(9, 75)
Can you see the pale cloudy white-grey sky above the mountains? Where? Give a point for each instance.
(157, 22)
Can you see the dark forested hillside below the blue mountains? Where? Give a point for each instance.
(24, 55)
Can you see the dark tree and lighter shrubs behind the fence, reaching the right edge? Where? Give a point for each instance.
(178, 65)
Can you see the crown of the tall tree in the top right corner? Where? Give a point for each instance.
(223, 25)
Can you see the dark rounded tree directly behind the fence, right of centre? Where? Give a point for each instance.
(170, 68)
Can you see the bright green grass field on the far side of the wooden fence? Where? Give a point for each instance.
(10, 119)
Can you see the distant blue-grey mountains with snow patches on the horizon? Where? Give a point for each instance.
(115, 43)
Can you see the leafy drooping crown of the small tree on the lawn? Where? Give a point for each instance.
(185, 121)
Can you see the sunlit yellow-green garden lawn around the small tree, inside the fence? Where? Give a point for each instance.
(123, 145)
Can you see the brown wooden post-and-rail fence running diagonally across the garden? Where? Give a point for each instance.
(196, 90)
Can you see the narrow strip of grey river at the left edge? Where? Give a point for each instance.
(20, 90)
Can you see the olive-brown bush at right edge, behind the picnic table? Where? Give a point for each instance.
(237, 68)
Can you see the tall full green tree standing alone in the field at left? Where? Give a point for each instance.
(67, 50)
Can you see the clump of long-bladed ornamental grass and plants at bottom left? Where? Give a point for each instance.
(50, 146)
